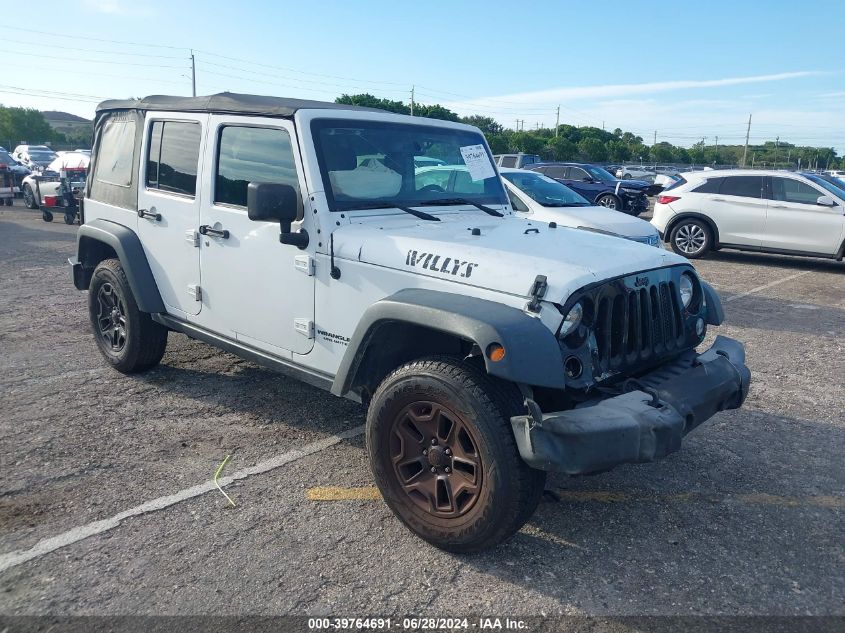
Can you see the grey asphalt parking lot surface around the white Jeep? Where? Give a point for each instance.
(747, 519)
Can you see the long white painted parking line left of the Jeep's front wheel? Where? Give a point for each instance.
(45, 546)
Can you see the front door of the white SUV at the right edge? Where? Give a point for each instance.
(796, 222)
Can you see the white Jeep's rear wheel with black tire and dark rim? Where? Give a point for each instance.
(126, 337)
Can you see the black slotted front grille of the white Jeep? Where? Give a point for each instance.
(634, 326)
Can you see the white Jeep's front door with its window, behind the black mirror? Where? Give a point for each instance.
(255, 289)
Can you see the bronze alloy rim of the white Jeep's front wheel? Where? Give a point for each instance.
(436, 459)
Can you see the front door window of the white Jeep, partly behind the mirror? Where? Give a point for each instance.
(252, 154)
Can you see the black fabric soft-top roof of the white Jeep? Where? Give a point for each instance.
(226, 103)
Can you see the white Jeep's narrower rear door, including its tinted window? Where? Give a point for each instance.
(169, 206)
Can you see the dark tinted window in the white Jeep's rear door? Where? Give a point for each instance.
(173, 156)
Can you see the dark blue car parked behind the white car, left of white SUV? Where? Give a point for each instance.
(599, 186)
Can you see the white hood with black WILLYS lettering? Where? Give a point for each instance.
(506, 256)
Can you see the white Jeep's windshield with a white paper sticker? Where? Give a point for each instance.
(377, 164)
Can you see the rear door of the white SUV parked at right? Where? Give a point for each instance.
(738, 208)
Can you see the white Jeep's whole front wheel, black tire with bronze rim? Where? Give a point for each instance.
(444, 457)
